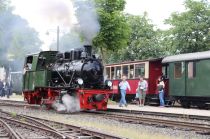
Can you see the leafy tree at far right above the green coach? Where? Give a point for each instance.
(190, 30)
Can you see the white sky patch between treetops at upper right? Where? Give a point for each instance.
(157, 10)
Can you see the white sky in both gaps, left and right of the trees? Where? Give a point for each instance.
(45, 15)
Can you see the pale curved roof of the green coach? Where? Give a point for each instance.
(187, 57)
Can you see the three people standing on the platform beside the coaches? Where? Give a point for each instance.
(141, 91)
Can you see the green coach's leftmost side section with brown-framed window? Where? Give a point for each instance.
(178, 79)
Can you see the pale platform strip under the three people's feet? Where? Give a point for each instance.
(174, 110)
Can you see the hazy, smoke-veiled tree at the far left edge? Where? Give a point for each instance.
(16, 38)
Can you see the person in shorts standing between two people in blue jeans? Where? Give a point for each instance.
(141, 90)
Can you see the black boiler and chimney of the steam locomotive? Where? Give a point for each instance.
(77, 67)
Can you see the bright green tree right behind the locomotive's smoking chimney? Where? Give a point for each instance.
(114, 32)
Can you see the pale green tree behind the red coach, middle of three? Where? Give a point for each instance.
(144, 41)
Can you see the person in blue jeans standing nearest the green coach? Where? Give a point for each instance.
(160, 88)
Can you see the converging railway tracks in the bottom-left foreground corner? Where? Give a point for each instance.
(22, 127)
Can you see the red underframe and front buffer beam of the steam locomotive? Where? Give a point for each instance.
(47, 96)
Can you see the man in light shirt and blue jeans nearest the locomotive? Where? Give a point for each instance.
(124, 85)
